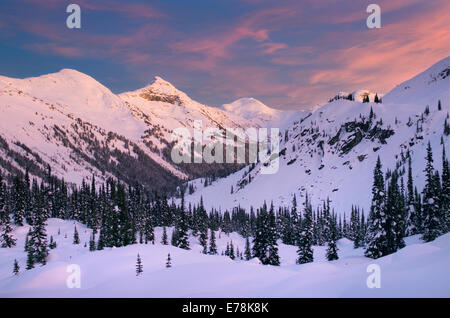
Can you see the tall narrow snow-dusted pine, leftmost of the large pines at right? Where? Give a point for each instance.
(377, 242)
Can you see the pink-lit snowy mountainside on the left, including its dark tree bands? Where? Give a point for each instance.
(79, 127)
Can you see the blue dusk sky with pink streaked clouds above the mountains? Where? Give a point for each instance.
(290, 54)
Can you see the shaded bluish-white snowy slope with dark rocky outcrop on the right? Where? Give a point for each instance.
(332, 152)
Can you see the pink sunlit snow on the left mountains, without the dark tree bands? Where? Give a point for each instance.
(39, 104)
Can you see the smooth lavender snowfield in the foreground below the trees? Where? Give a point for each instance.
(418, 270)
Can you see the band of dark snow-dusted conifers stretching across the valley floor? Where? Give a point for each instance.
(121, 215)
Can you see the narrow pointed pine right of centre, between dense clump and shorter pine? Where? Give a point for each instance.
(305, 240)
